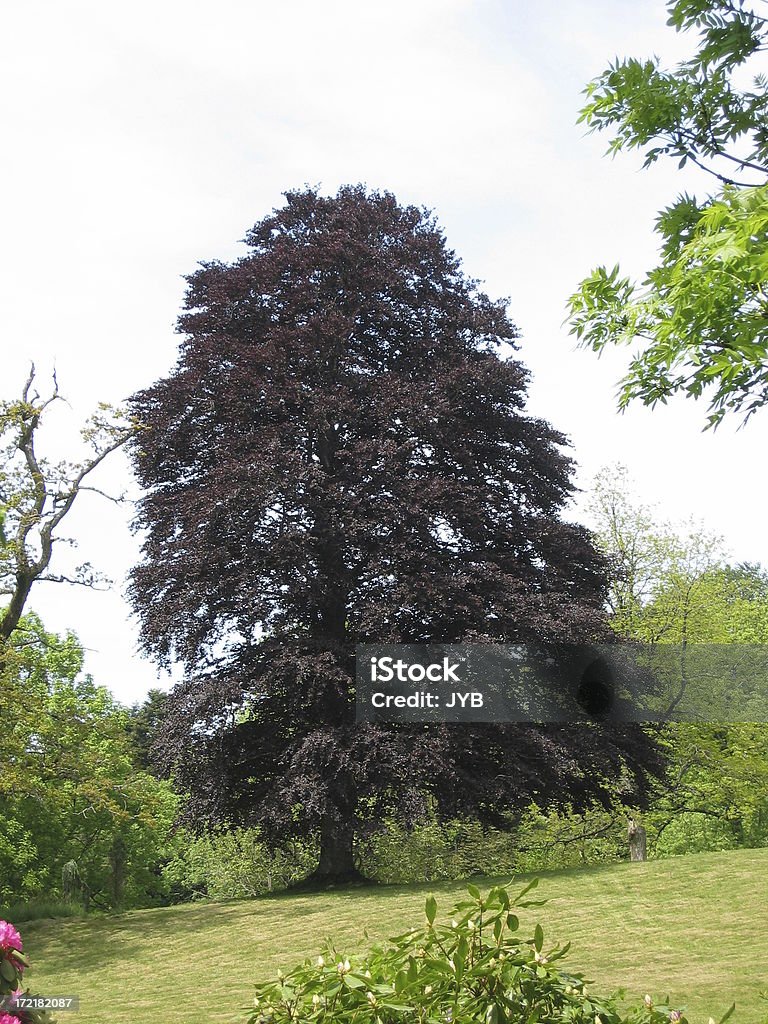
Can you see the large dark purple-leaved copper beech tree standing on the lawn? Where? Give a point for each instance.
(342, 456)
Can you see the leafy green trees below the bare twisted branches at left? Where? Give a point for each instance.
(70, 790)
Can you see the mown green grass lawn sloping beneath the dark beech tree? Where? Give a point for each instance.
(695, 927)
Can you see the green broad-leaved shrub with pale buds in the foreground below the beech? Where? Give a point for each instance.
(478, 968)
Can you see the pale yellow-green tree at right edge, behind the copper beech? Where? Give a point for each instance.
(673, 587)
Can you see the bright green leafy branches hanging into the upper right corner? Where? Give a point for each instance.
(701, 317)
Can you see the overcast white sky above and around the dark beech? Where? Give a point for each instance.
(141, 139)
